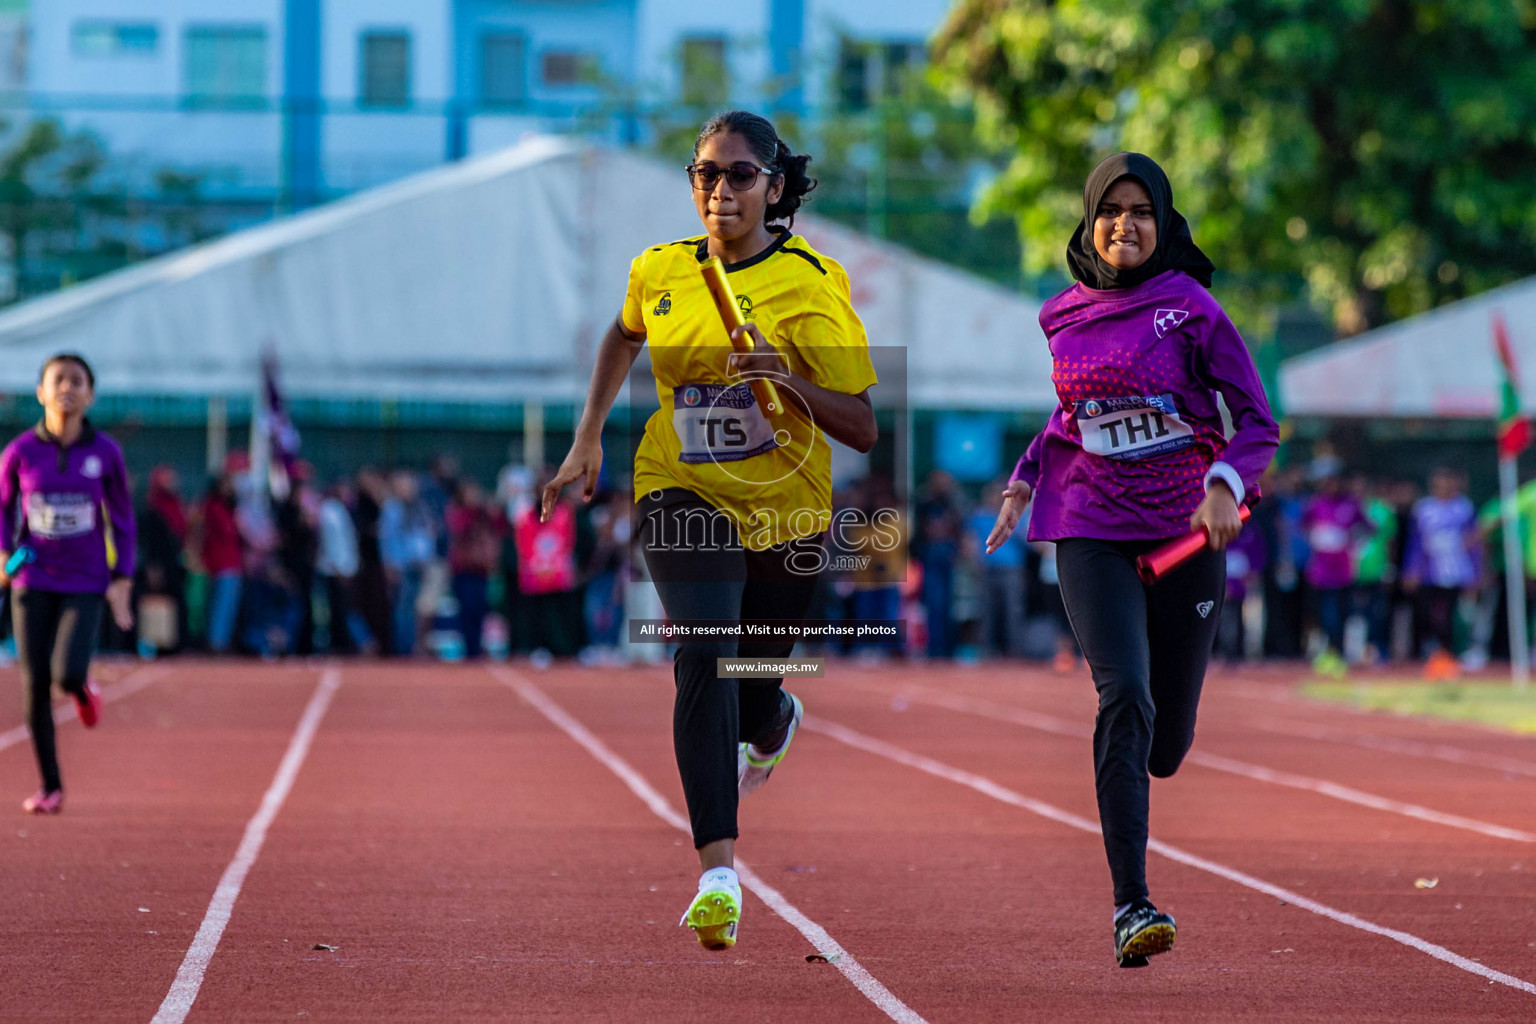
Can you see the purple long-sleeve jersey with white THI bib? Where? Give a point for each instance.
(1136, 437)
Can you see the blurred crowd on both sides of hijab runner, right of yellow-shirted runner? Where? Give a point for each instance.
(1337, 567)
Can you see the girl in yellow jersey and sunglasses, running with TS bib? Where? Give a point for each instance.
(735, 500)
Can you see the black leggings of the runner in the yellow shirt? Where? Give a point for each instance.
(701, 572)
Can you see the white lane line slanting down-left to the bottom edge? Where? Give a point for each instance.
(190, 979)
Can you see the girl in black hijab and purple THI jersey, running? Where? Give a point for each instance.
(1134, 455)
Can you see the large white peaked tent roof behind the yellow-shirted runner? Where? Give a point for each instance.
(491, 280)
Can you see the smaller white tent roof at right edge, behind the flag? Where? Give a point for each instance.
(1437, 365)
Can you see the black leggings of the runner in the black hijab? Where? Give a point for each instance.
(1148, 649)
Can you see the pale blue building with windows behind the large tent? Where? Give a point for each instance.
(311, 99)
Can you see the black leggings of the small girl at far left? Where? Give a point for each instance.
(55, 639)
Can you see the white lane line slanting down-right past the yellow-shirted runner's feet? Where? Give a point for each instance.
(824, 943)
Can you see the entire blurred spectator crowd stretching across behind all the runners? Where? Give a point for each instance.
(1336, 567)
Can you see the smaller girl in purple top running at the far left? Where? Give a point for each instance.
(68, 537)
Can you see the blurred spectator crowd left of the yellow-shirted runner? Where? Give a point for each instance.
(391, 563)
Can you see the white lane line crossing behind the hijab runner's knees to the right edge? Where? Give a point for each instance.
(1257, 773)
